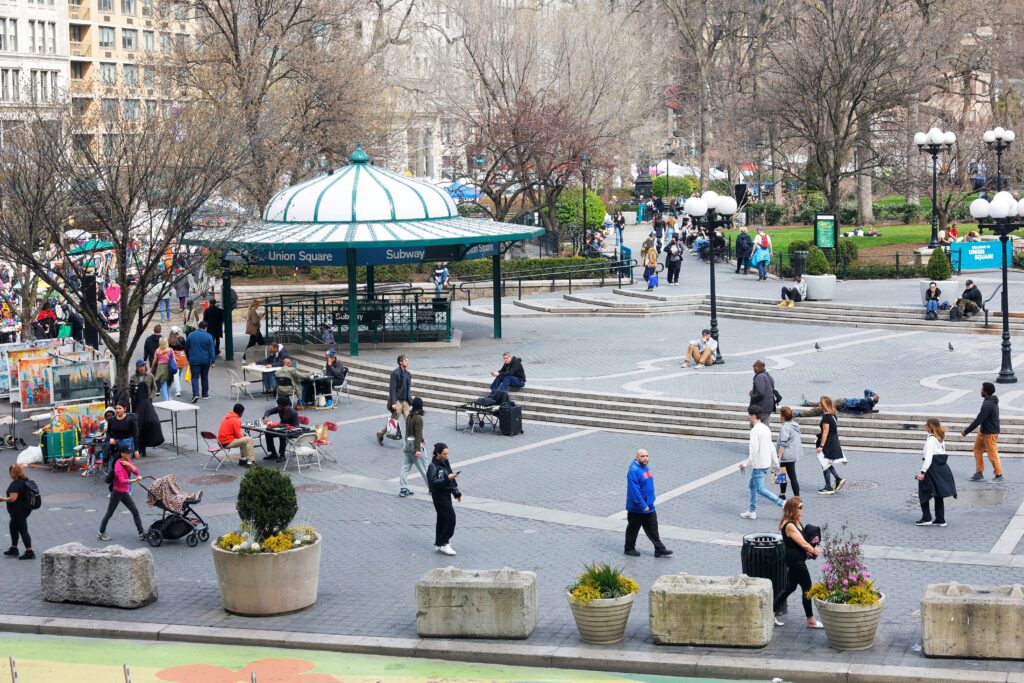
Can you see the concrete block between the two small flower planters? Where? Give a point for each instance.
(726, 612)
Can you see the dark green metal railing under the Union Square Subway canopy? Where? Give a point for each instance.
(386, 316)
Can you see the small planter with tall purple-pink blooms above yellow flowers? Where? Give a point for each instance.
(847, 602)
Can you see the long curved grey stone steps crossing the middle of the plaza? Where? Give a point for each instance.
(902, 433)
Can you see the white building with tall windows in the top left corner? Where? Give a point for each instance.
(33, 57)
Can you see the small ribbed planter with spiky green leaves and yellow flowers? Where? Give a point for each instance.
(601, 600)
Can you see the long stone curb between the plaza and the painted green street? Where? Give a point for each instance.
(511, 654)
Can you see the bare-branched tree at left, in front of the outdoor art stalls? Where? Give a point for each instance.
(136, 179)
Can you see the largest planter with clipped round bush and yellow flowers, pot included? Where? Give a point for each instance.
(268, 567)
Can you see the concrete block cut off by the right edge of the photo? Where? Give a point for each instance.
(961, 621)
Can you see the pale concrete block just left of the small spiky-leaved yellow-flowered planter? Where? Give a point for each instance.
(486, 604)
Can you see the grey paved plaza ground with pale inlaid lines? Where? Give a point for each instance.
(550, 500)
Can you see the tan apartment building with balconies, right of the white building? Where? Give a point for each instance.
(117, 49)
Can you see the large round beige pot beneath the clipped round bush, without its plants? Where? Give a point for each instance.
(264, 584)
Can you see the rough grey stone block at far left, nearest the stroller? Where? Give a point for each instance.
(111, 577)
